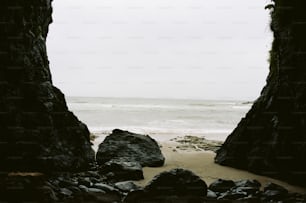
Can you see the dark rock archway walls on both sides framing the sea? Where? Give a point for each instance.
(37, 132)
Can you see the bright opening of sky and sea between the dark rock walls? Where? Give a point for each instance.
(162, 50)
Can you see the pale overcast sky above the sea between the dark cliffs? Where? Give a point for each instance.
(199, 49)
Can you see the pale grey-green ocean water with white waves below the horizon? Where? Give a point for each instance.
(162, 119)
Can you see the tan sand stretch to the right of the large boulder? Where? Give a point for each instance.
(202, 163)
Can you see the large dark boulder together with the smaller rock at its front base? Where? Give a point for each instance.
(122, 155)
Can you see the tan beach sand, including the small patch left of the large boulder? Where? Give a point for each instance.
(197, 154)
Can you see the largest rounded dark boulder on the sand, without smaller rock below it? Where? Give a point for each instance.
(130, 147)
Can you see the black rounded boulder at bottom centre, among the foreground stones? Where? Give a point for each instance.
(179, 184)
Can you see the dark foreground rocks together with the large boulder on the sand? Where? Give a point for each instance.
(120, 159)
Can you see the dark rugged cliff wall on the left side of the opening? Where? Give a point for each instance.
(37, 132)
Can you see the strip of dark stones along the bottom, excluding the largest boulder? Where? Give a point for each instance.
(177, 185)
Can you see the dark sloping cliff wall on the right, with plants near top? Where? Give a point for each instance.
(271, 139)
